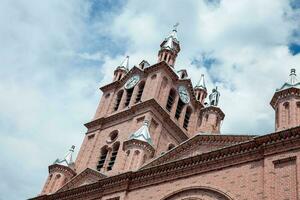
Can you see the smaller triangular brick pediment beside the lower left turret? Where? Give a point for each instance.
(87, 176)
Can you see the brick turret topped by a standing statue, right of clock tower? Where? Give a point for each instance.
(211, 115)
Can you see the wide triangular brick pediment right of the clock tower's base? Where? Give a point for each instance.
(199, 144)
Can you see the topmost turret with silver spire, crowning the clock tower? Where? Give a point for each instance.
(169, 48)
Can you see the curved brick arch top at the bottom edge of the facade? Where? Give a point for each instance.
(198, 193)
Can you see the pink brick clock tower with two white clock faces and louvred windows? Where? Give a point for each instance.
(145, 111)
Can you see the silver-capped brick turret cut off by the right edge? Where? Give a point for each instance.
(286, 103)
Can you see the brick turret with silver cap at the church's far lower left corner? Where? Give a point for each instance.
(60, 172)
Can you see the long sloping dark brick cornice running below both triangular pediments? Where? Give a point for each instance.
(253, 150)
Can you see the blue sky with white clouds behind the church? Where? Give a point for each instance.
(54, 55)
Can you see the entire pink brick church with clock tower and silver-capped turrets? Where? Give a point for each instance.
(155, 136)
